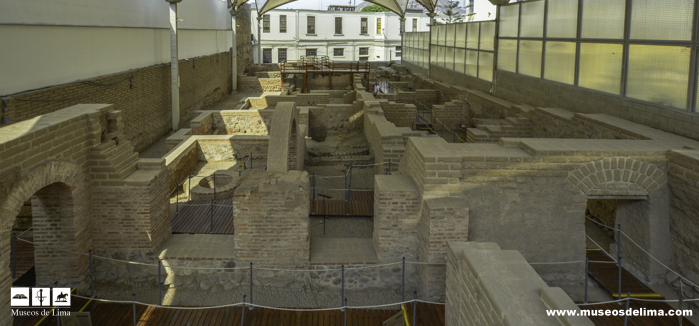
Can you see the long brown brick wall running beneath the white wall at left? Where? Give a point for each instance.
(147, 106)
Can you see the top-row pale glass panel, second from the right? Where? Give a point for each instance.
(603, 19)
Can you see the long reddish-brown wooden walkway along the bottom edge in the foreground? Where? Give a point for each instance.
(112, 314)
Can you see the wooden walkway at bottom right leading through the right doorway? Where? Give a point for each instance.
(607, 275)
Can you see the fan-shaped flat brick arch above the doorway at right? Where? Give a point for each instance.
(617, 176)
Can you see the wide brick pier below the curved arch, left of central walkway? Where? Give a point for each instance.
(272, 223)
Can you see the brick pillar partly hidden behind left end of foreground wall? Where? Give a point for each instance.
(441, 220)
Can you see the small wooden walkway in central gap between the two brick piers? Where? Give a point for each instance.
(361, 203)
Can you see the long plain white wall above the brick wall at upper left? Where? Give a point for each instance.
(46, 43)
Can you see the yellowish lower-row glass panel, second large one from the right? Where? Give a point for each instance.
(600, 67)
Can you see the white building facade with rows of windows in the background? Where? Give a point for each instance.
(288, 34)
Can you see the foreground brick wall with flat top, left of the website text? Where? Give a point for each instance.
(489, 286)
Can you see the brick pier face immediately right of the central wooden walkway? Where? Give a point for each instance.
(396, 212)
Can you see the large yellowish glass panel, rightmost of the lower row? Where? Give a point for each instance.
(659, 74)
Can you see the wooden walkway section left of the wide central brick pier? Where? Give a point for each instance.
(194, 217)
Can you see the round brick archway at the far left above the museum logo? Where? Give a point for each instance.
(60, 197)
